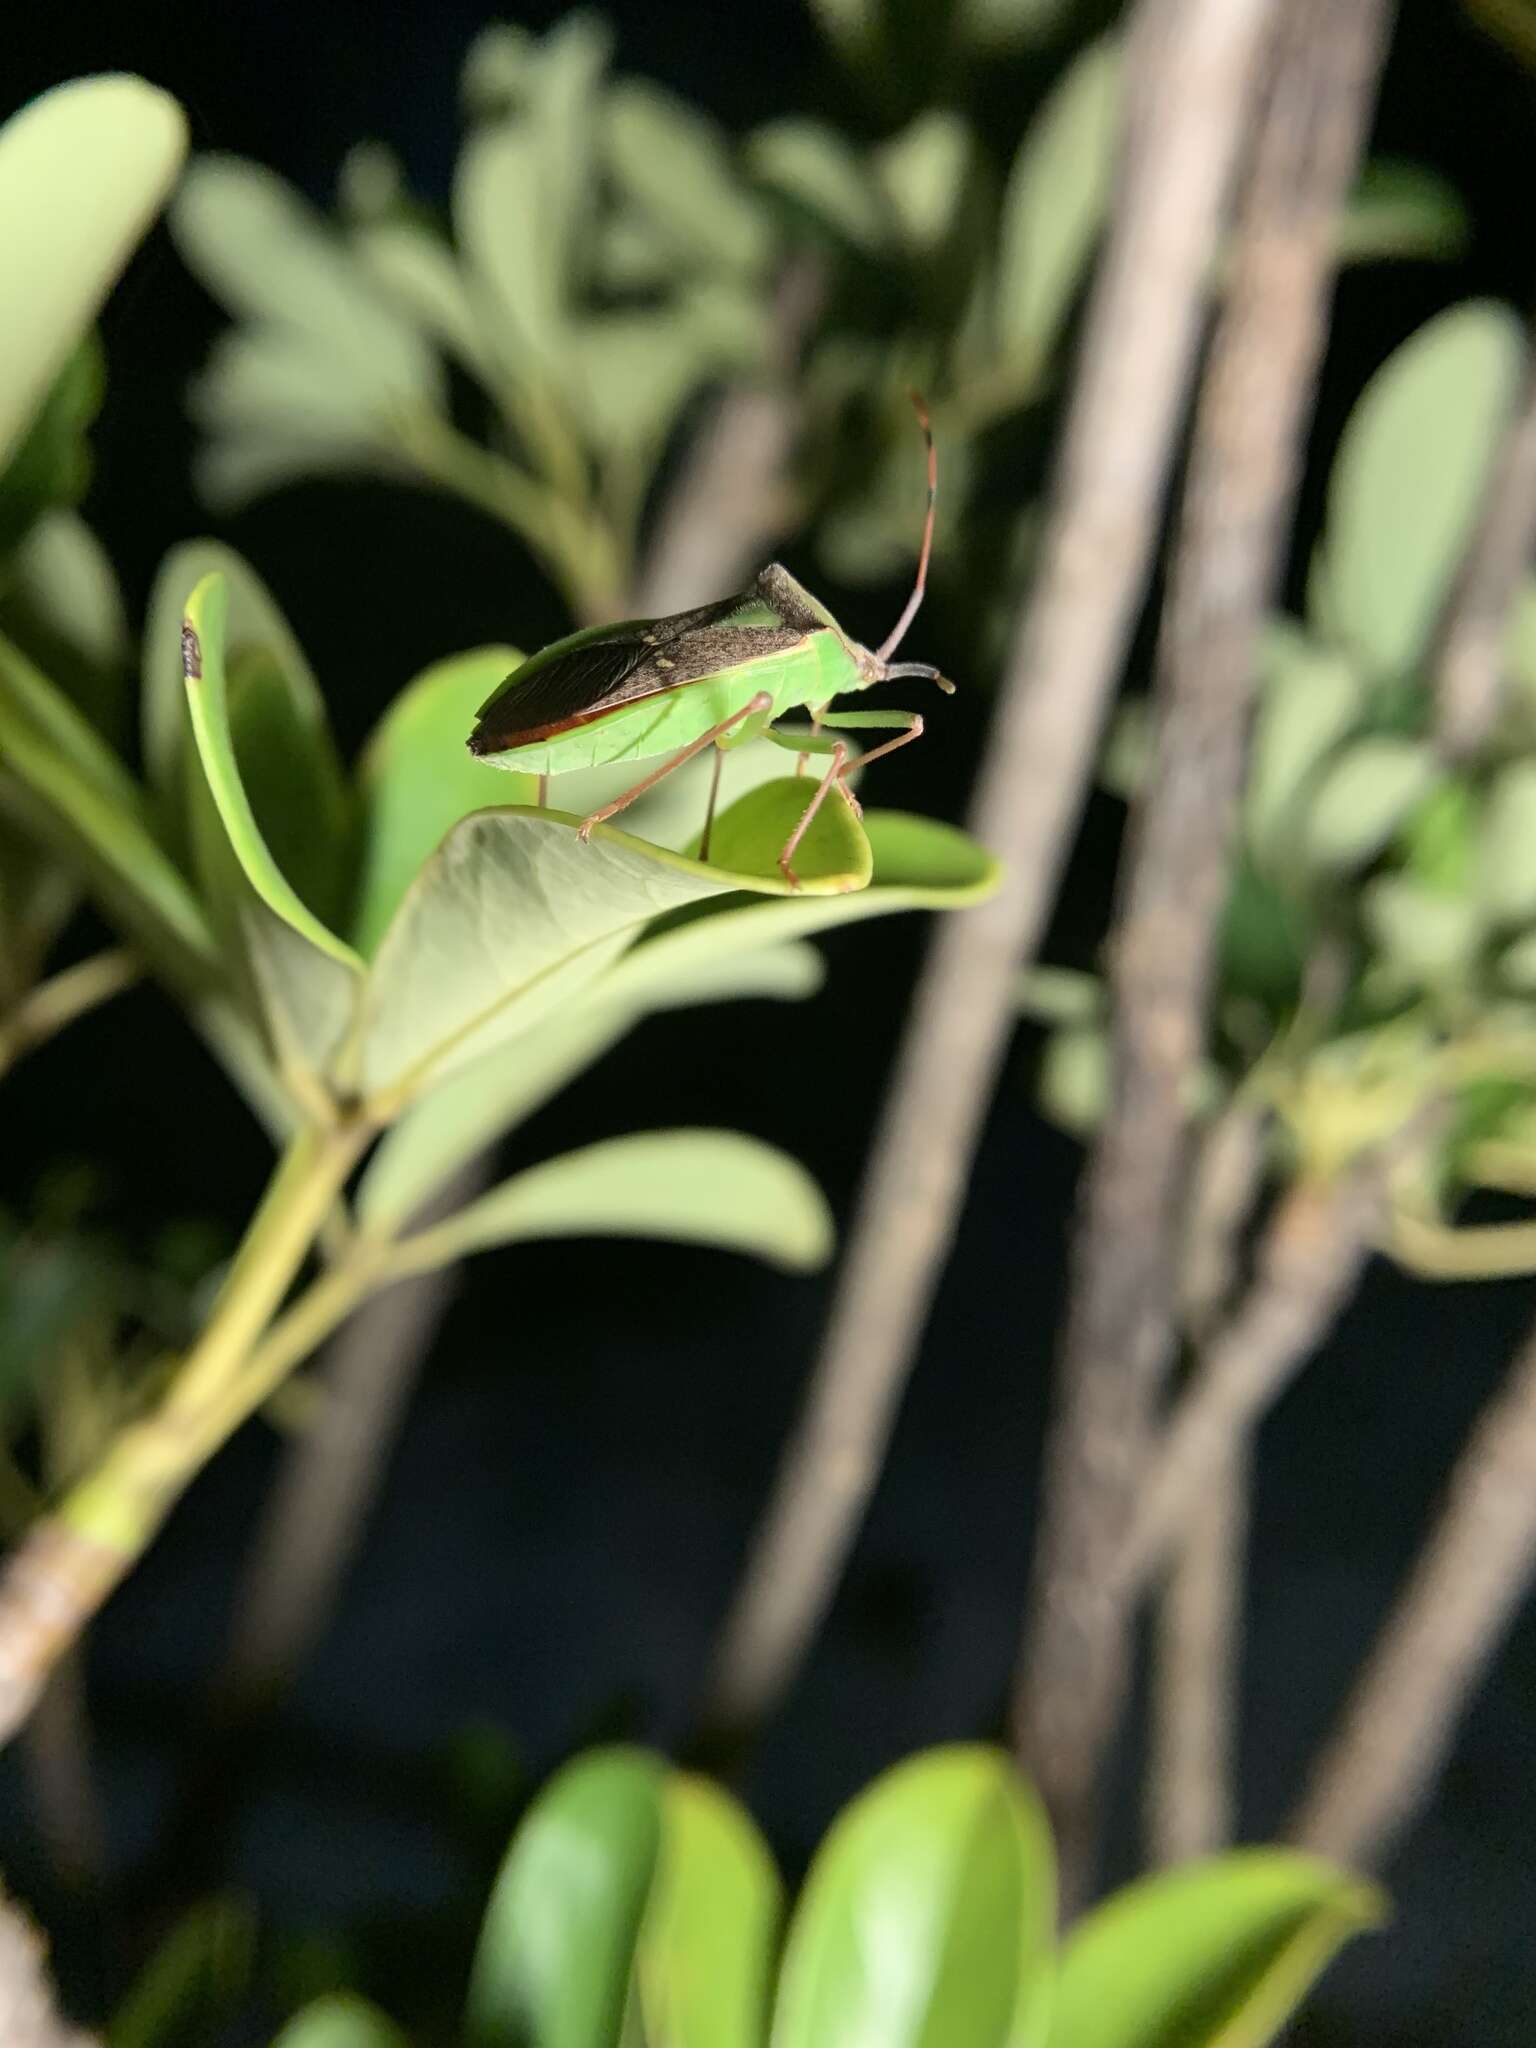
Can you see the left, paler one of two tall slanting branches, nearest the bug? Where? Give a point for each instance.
(1140, 347)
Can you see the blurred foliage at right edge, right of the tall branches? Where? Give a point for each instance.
(1379, 947)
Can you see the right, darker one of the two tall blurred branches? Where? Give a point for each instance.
(1232, 546)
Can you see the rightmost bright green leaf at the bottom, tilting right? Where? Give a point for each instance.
(1215, 1955)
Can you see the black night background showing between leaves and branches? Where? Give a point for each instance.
(579, 1476)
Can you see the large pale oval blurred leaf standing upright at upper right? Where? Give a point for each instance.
(1410, 478)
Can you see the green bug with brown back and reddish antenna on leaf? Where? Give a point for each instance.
(712, 677)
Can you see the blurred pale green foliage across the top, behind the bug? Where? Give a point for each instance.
(611, 257)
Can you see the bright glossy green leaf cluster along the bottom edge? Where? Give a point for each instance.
(640, 1906)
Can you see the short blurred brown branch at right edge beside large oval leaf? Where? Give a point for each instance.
(1469, 665)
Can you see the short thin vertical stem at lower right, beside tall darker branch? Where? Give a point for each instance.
(1197, 1656)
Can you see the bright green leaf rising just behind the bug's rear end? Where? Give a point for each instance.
(419, 779)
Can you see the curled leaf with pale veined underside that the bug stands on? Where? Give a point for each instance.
(515, 914)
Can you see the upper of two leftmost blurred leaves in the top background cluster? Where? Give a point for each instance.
(269, 259)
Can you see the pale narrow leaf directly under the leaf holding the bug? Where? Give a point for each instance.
(480, 1103)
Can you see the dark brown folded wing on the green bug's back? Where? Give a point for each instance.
(601, 669)
